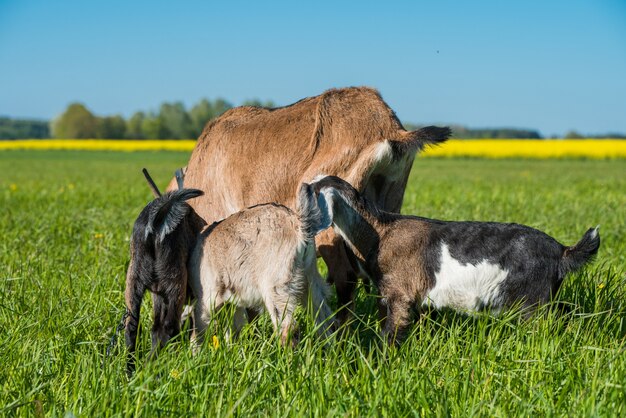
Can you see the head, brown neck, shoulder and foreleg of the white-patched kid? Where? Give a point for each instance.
(387, 248)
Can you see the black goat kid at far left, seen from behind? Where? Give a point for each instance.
(162, 240)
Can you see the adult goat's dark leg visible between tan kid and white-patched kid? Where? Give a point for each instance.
(340, 272)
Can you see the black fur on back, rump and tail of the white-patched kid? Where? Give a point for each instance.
(537, 263)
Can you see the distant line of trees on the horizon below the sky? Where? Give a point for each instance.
(174, 121)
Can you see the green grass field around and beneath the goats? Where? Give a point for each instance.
(65, 221)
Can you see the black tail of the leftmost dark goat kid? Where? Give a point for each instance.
(168, 211)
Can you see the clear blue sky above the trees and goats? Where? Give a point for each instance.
(549, 65)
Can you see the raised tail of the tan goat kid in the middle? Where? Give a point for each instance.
(312, 212)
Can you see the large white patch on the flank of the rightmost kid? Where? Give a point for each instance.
(465, 286)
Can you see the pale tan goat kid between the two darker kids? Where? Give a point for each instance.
(263, 256)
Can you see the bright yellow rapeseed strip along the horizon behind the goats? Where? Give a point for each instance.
(488, 148)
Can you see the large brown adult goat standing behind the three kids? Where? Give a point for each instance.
(252, 155)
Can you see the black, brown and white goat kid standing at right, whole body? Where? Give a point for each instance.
(468, 266)
